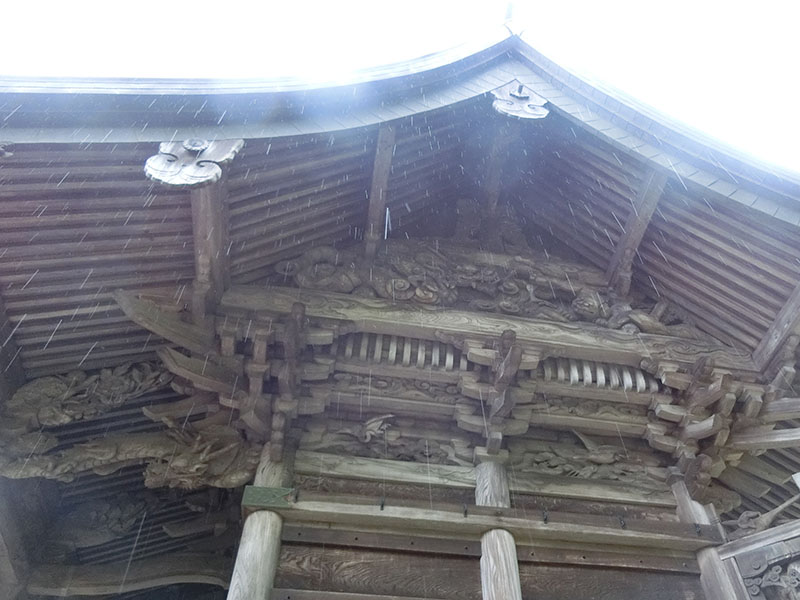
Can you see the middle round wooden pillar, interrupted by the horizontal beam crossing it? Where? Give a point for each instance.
(499, 568)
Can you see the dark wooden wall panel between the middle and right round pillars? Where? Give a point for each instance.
(568, 583)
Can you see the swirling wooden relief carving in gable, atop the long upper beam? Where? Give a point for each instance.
(444, 275)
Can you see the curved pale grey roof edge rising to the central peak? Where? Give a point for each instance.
(147, 111)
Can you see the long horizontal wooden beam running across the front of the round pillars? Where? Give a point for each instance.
(419, 520)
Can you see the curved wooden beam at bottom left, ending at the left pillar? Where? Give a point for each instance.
(121, 577)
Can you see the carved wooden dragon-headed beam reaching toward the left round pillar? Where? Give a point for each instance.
(184, 457)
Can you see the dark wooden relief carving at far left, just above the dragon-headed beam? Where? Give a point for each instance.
(60, 399)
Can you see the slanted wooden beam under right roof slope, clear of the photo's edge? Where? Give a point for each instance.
(619, 269)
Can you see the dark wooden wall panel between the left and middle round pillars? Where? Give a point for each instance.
(378, 572)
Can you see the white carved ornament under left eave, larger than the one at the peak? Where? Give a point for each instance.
(193, 162)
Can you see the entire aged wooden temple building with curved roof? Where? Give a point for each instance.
(472, 330)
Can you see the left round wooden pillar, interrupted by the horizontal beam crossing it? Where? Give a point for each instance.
(260, 545)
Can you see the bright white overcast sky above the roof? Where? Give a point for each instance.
(730, 69)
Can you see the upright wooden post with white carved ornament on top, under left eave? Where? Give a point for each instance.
(198, 165)
